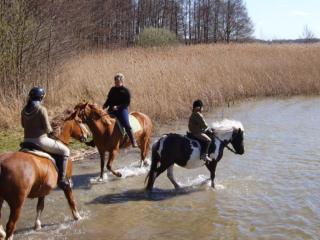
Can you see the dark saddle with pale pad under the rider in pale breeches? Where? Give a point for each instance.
(38, 151)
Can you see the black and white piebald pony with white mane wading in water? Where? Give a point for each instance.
(184, 151)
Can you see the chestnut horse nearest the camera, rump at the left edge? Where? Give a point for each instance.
(25, 175)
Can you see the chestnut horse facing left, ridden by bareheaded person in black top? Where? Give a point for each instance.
(108, 137)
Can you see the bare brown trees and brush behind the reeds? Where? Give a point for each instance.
(36, 34)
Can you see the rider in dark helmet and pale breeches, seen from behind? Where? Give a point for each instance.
(37, 129)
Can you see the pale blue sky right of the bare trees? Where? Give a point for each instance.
(284, 19)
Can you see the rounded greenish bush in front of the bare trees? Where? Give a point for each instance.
(152, 37)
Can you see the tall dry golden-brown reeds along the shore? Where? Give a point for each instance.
(165, 81)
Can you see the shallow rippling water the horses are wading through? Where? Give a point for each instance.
(270, 192)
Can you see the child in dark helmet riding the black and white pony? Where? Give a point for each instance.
(198, 127)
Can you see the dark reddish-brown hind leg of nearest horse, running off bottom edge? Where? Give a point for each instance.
(15, 210)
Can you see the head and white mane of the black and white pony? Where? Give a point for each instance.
(230, 131)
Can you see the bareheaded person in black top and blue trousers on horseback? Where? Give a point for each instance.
(117, 103)
